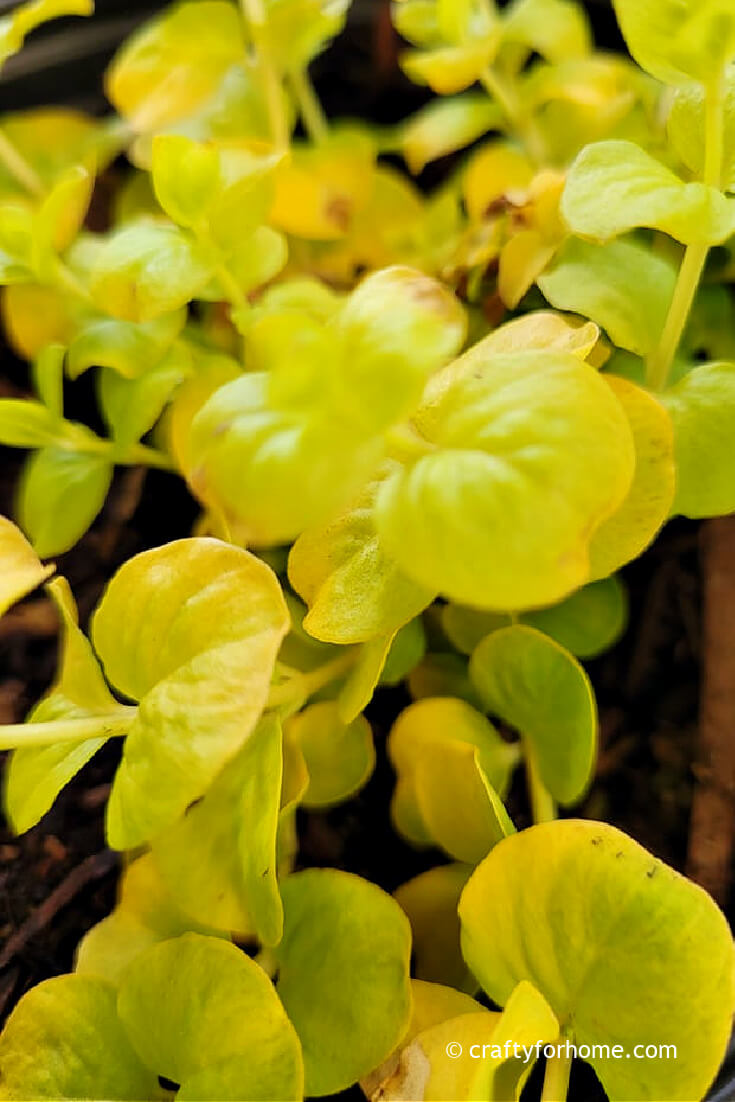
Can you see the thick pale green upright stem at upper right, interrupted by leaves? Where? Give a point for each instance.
(693, 266)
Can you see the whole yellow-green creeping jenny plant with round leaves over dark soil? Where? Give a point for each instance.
(394, 490)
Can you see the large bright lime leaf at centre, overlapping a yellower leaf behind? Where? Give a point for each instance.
(531, 452)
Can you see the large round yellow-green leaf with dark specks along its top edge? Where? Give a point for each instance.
(624, 950)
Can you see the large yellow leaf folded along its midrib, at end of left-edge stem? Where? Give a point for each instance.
(191, 631)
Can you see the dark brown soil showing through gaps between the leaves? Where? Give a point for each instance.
(59, 879)
